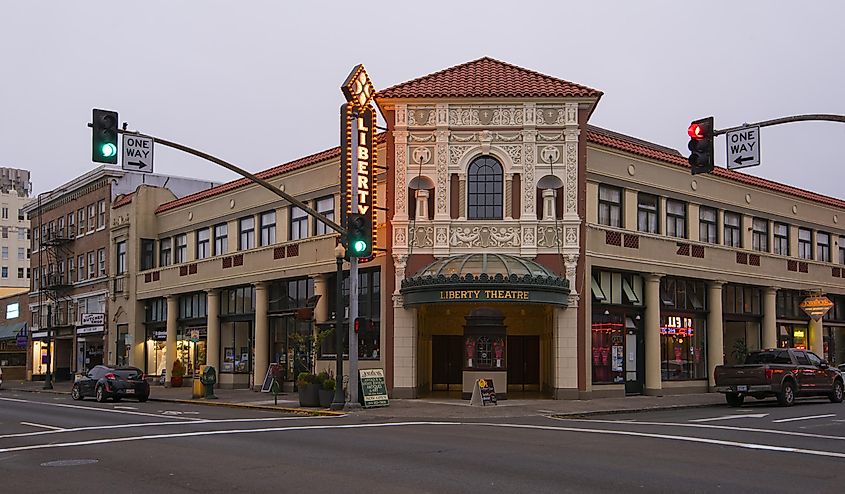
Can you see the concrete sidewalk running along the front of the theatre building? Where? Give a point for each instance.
(423, 408)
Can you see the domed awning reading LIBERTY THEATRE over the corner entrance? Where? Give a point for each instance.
(486, 278)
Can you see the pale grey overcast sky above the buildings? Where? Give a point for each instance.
(257, 83)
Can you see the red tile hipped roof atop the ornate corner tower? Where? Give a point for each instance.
(485, 78)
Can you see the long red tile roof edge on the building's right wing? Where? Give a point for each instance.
(632, 145)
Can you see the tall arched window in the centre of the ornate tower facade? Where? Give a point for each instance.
(484, 191)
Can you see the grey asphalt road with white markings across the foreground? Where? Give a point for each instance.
(52, 444)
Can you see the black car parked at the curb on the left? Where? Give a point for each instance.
(103, 382)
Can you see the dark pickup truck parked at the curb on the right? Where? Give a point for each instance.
(785, 373)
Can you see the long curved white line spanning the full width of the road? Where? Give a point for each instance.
(717, 442)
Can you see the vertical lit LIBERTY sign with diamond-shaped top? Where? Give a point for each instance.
(358, 121)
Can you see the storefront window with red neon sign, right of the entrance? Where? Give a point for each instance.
(682, 348)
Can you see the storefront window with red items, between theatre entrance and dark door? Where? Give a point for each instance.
(607, 348)
